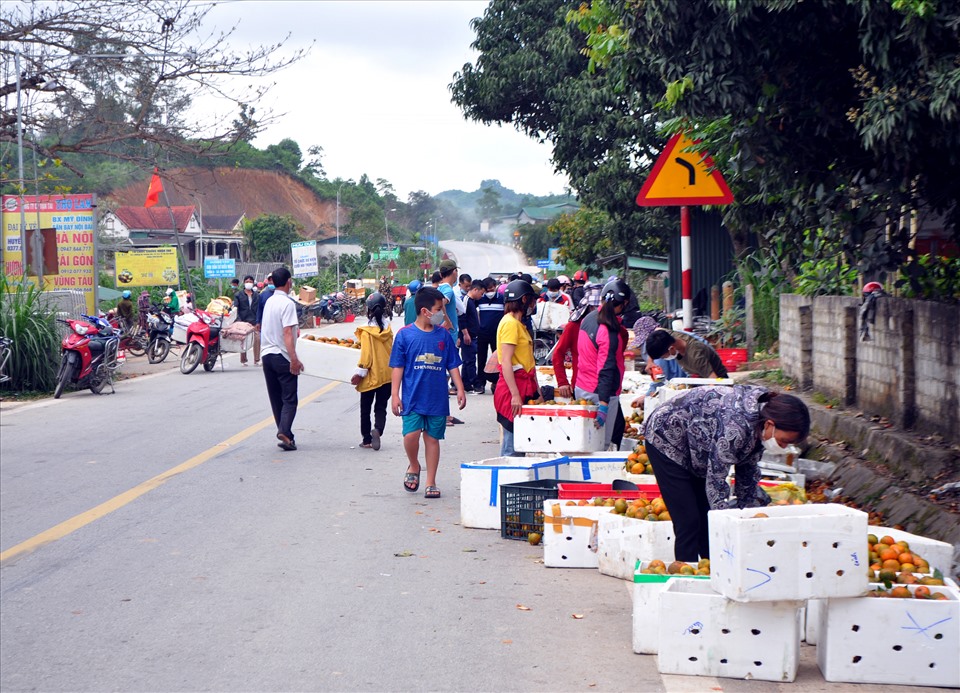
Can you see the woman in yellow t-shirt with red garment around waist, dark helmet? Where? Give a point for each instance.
(518, 374)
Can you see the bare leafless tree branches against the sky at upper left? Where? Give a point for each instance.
(114, 78)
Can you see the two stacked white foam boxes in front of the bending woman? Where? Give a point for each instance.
(747, 622)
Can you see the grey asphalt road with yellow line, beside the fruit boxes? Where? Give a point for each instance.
(156, 539)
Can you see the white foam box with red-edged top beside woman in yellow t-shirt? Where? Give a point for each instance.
(546, 428)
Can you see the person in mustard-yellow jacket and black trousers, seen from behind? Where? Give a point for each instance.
(373, 378)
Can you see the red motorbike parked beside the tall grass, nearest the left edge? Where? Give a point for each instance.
(89, 355)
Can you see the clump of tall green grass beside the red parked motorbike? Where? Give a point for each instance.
(32, 328)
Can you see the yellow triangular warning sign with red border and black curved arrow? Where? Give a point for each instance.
(683, 178)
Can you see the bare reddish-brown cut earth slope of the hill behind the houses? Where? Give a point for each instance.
(229, 191)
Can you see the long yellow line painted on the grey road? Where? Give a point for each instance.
(83, 519)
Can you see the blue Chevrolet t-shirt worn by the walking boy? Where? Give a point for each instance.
(425, 357)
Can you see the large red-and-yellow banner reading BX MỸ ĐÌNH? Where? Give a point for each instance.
(71, 219)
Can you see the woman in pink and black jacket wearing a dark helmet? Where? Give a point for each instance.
(601, 344)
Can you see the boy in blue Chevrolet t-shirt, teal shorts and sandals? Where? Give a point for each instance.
(422, 356)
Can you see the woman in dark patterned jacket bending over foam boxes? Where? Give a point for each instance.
(694, 439)
